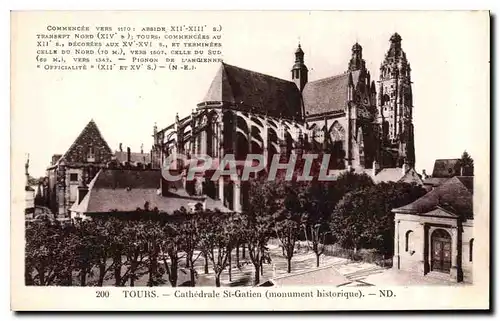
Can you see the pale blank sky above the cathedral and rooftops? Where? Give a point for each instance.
(448, 53)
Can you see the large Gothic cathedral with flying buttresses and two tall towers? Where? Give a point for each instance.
(363, 125)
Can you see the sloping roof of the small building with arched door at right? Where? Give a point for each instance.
(453, 196)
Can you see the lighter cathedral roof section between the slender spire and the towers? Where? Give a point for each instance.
(328, 94)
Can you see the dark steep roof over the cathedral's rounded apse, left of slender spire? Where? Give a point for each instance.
(263, 93)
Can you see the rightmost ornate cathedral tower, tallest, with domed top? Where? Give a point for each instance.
(394, 104)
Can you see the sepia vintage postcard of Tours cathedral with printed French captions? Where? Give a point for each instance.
(250, 160)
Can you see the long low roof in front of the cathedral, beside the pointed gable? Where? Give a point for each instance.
(126, 190)
